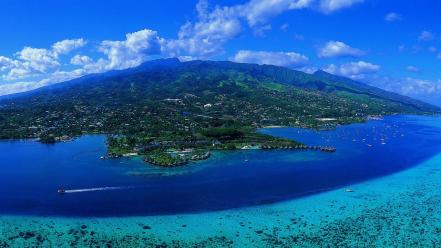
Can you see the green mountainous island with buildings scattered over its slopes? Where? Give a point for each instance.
(173, 112)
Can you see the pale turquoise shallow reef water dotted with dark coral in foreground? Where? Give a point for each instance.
(370, 213)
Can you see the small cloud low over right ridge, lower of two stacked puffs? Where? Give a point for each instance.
(354, 70)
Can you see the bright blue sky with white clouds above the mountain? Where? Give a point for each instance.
(394, 44)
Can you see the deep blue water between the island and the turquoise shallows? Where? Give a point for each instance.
(31, 173)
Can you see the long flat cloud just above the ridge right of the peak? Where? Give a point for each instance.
(287, 59)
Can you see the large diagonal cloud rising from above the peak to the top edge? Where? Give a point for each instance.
(207, 36)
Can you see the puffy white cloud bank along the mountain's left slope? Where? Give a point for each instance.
(45, 64)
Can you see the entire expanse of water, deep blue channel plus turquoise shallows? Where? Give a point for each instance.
(394, 207)
